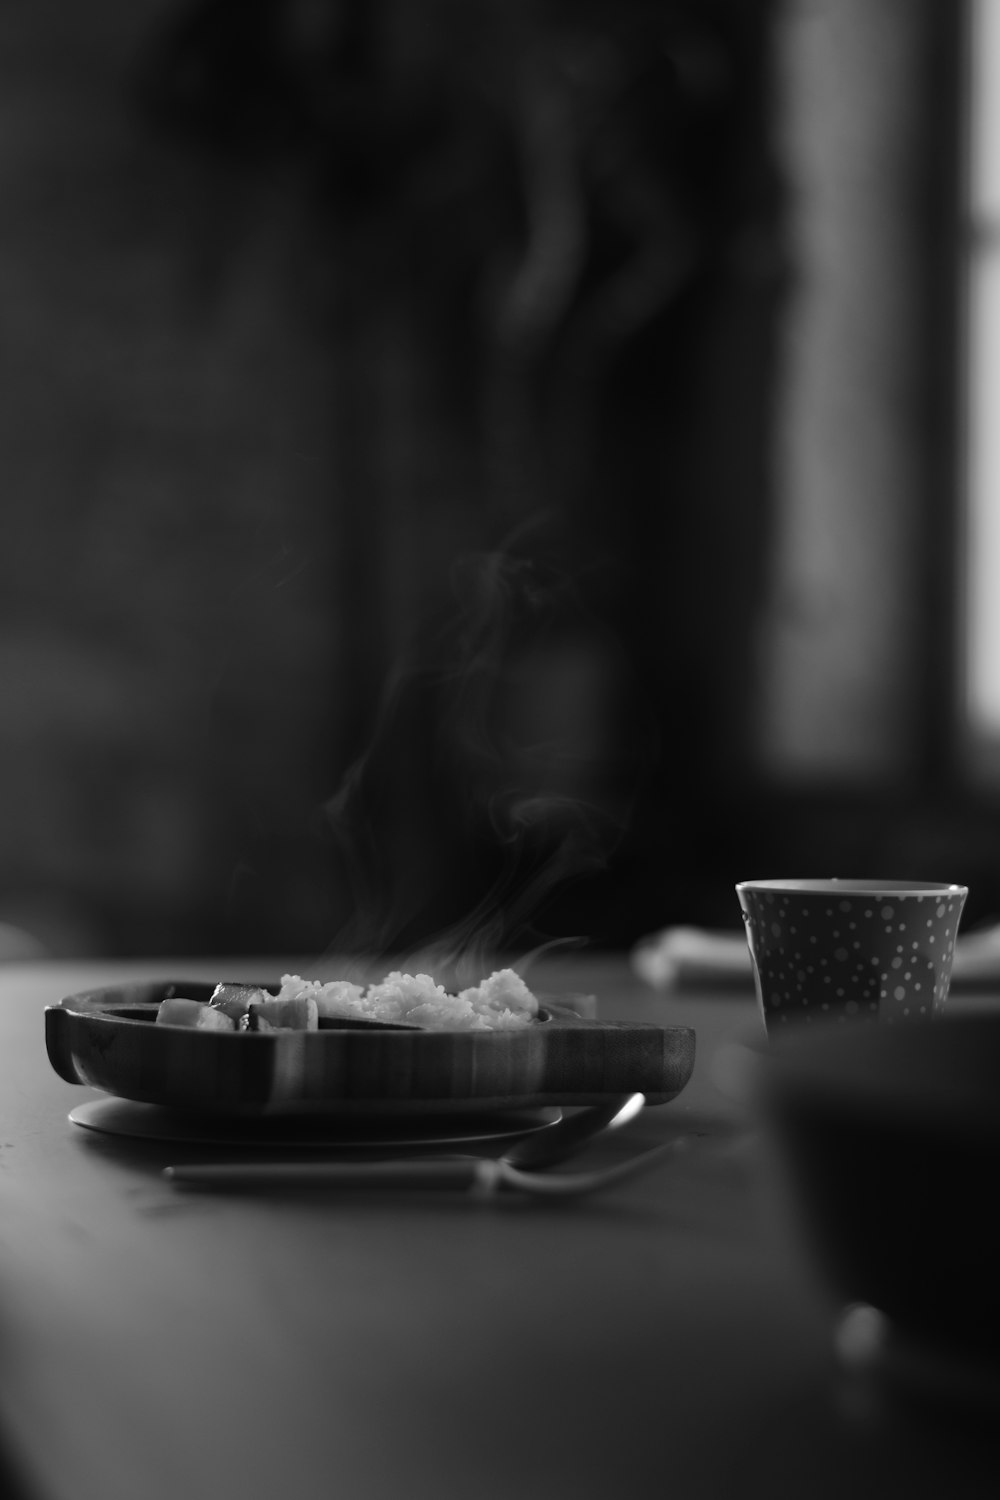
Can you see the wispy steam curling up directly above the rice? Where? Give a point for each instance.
(494, 742)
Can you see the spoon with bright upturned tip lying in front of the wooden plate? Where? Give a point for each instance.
(478, 1175)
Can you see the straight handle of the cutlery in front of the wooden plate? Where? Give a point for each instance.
(475, 1175)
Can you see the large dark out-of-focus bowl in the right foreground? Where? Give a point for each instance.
(890, 1144)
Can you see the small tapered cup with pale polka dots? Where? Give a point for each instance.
(851, 950)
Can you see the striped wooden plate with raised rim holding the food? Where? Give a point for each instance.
(109, 1040)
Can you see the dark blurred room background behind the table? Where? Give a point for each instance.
(484, 466)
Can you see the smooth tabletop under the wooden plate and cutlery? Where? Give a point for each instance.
(665, 1337)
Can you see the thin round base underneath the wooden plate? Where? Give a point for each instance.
(127, 1118)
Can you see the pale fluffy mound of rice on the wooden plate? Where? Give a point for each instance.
(501, 1003)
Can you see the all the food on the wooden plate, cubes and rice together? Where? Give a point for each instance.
(501, 1003)
